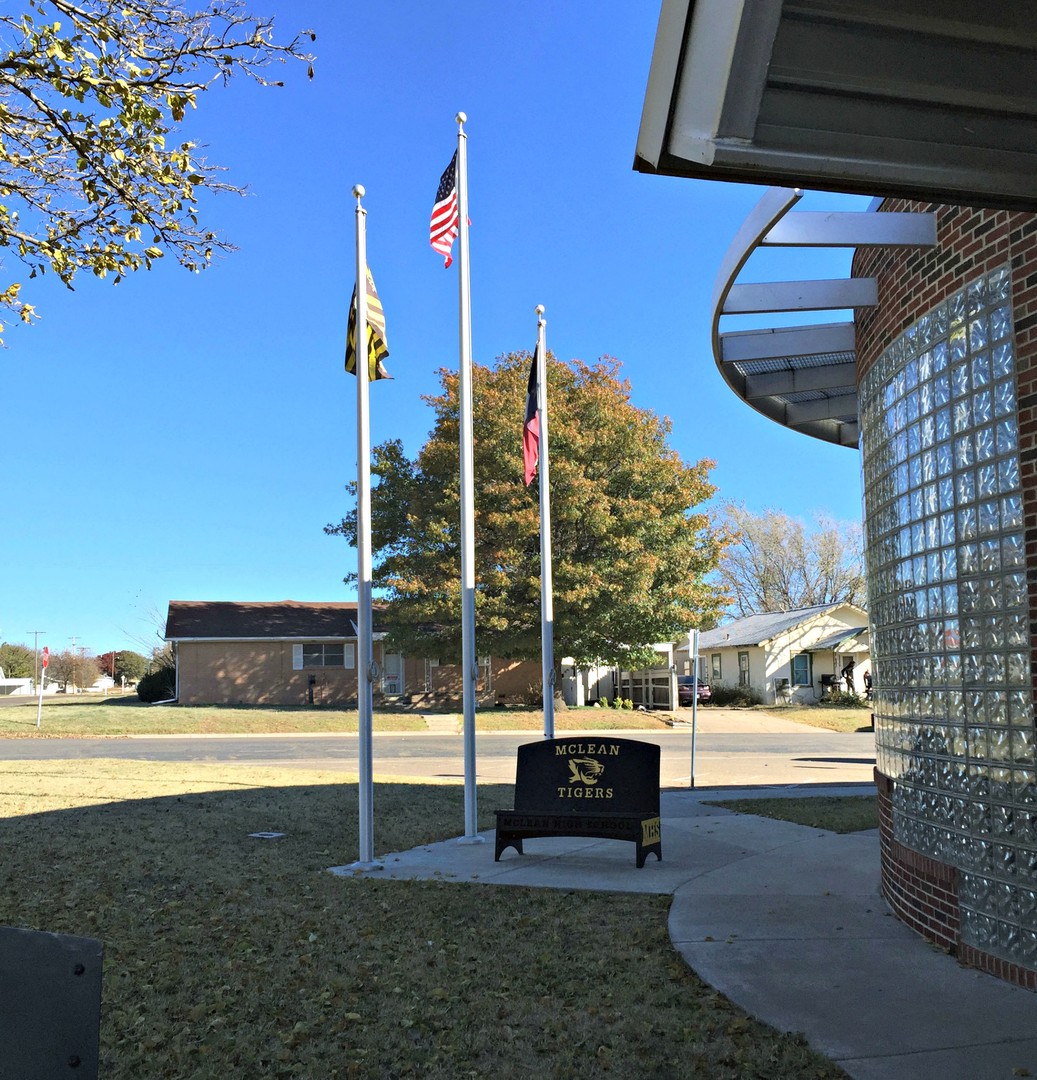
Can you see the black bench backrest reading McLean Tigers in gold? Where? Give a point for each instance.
(591, 775)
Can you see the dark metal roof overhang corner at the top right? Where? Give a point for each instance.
(936, 101)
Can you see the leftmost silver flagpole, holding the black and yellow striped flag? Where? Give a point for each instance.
(366, 655)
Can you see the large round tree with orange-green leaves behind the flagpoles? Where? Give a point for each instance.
(631, 551)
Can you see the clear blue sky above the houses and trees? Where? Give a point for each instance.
(187, 437)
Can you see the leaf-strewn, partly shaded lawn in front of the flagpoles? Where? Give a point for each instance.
(232, 957)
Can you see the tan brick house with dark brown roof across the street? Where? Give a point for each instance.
(291, 653)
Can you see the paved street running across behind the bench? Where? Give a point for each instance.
(746, 754)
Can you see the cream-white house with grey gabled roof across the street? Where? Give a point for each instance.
(786, 656)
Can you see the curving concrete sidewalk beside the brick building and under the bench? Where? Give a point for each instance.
(789, 924)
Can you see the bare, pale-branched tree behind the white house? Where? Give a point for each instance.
(776, 563)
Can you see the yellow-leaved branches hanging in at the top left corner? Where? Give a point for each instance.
(92, 177)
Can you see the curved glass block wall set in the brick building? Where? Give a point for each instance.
(954, 714)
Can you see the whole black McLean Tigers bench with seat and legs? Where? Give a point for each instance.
(596, 787)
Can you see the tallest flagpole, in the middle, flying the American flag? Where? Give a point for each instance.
(469, 665)
